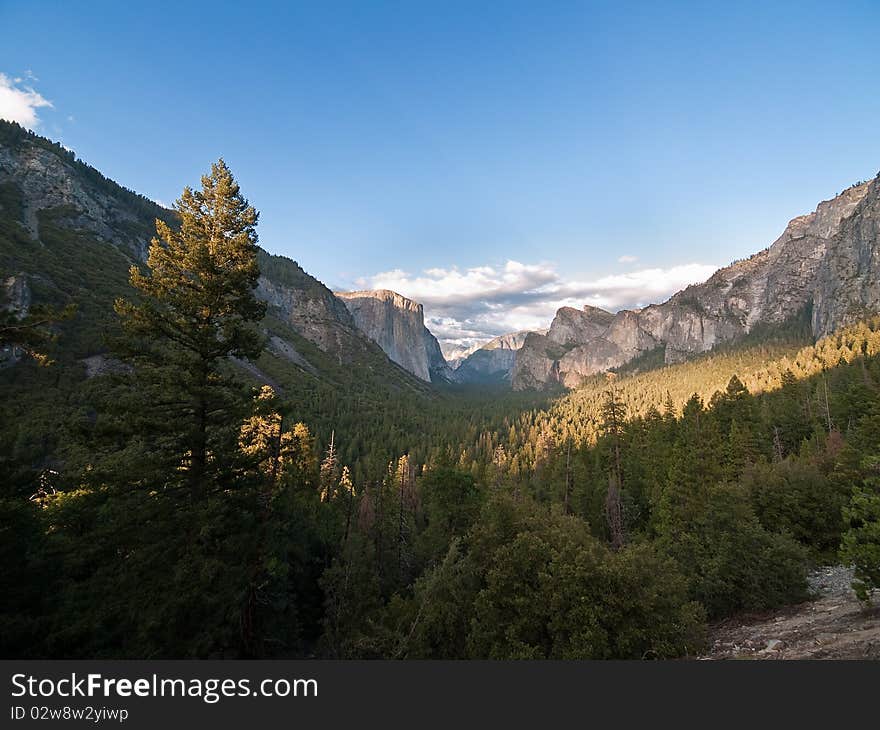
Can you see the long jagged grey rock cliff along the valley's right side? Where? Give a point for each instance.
(828, 259)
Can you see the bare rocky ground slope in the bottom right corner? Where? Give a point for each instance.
(834, 625)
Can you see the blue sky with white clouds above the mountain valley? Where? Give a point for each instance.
(471, 154)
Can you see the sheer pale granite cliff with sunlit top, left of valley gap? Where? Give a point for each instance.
(397, 325)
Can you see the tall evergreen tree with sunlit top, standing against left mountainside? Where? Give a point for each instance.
(196, 309)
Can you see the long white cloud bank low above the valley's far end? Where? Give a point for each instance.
(470, 306)
